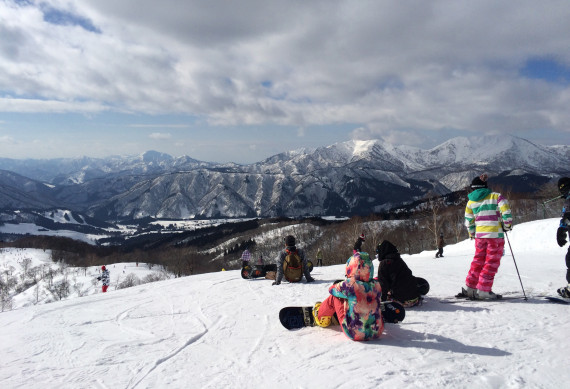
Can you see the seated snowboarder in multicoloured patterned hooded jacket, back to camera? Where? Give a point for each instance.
(355, 302)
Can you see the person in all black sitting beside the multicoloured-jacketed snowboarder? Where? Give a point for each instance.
(398, 282)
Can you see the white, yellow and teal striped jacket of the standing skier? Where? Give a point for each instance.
(485, 214)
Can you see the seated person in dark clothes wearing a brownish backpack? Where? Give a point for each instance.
(292, 263)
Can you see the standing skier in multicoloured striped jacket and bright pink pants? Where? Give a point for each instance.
(487, 217)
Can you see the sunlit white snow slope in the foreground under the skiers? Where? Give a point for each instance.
(219, 331)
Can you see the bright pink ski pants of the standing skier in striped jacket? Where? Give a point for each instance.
(488, 253)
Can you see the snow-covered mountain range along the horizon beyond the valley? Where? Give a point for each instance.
(354, 177)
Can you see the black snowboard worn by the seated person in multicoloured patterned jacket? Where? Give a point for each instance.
(299, 317)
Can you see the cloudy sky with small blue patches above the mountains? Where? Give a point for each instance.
(243, 80)
